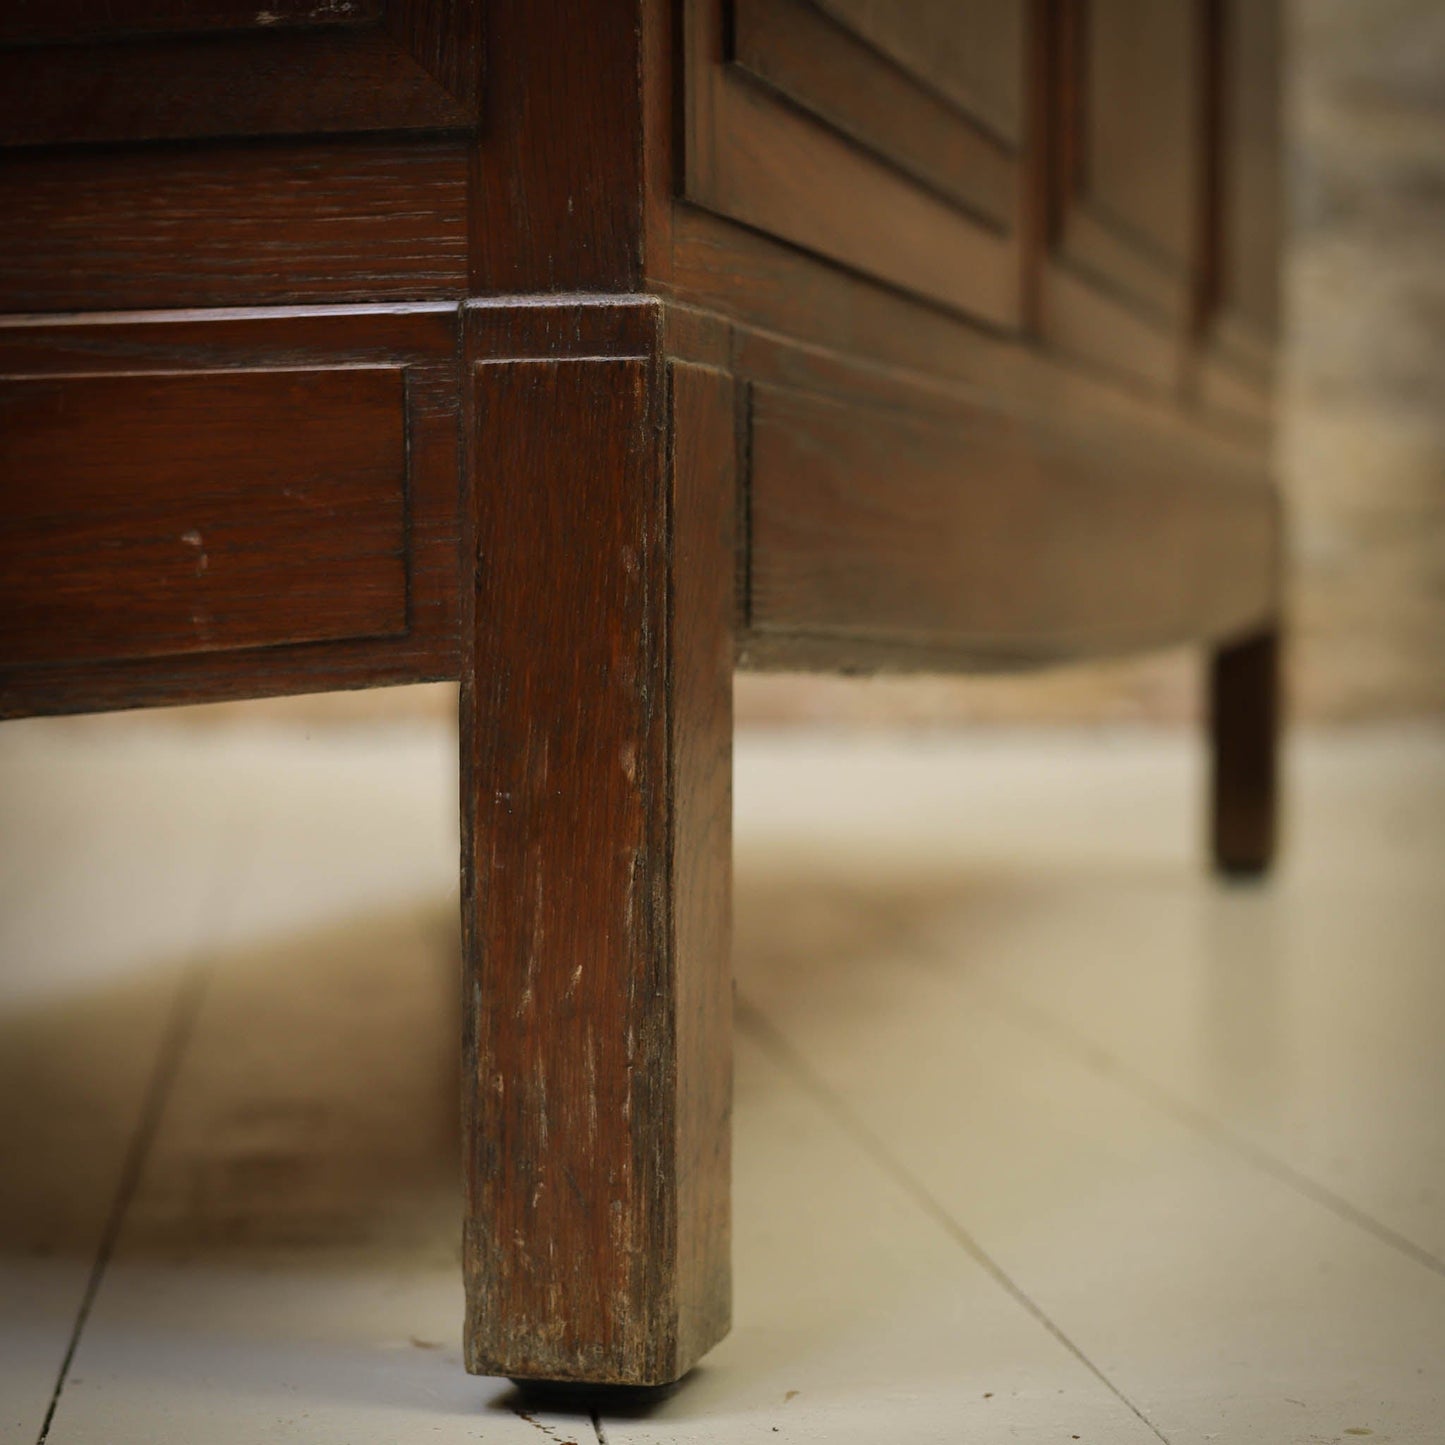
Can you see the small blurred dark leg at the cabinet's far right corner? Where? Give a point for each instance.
(1245, 725)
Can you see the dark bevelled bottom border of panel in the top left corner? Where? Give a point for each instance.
(407, 64)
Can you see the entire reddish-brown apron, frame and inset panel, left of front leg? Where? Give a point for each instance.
(337, 505)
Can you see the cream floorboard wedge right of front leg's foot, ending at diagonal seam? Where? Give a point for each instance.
(859, 1319)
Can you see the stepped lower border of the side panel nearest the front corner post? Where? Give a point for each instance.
(797, 128)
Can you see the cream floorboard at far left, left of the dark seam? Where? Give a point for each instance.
(109, 882)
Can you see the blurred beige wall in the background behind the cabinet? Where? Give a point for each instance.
(1362, 437)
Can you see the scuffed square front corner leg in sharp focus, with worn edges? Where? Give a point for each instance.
(596, 726)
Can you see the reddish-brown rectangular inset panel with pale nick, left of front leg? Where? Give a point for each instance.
(147, 517)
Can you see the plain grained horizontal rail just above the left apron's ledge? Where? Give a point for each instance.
(232, 226)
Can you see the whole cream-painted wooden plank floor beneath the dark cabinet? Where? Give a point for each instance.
(1041, 1135)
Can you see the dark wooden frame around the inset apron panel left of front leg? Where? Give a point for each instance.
(424, 343)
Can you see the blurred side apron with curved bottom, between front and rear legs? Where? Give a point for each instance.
(894, 538)
